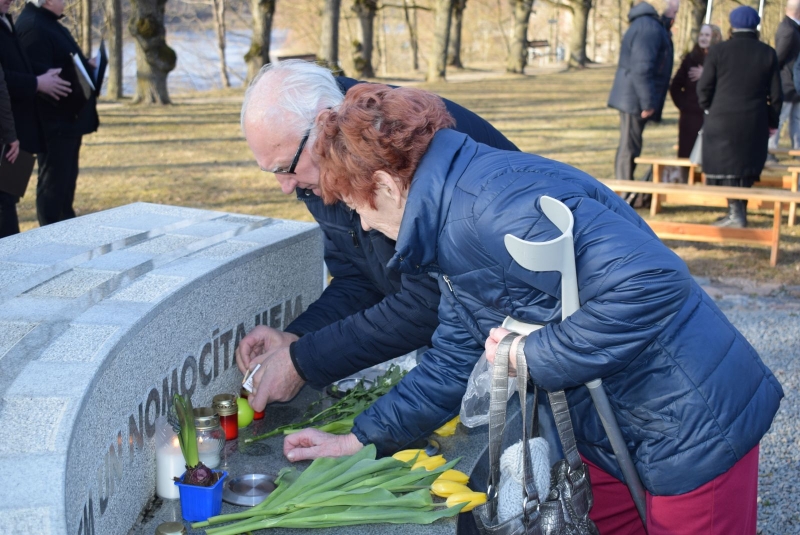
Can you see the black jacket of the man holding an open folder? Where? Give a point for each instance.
(48, 45)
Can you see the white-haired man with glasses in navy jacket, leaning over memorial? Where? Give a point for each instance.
(369, 313)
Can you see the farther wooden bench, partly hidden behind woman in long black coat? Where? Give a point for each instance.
(773, 176)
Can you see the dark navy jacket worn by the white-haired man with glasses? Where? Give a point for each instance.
(369, 313)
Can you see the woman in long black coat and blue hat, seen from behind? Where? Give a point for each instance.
(740, 91)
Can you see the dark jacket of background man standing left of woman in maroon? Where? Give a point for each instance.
(645, 64)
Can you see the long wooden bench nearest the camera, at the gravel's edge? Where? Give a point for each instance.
(709, 233)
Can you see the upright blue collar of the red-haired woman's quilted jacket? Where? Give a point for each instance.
(428, 202)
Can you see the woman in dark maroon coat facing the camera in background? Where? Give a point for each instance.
(683, 89)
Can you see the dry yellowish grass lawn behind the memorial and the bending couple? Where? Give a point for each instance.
(192, 154)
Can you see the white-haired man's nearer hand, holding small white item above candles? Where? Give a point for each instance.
(276, 380)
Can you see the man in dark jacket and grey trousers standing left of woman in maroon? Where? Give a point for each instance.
(641, 82)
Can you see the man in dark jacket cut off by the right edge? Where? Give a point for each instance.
(787, 46)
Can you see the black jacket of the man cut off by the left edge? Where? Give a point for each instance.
(21, 82)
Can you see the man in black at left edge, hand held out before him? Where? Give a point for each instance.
(23, 89)
